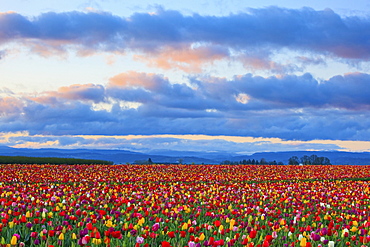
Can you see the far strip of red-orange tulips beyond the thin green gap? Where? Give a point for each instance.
(183, 173)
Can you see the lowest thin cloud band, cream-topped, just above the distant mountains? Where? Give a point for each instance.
(159, 143)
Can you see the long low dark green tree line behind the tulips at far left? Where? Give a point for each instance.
(50, 160)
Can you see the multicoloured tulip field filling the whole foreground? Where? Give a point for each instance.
(184, 205)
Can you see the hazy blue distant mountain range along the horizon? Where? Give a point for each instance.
(169, 156)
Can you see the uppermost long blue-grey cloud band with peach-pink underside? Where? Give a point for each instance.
(186, 41)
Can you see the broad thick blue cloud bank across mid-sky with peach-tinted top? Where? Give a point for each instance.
(287, 107)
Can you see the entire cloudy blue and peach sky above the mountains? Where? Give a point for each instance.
(212, 76)
